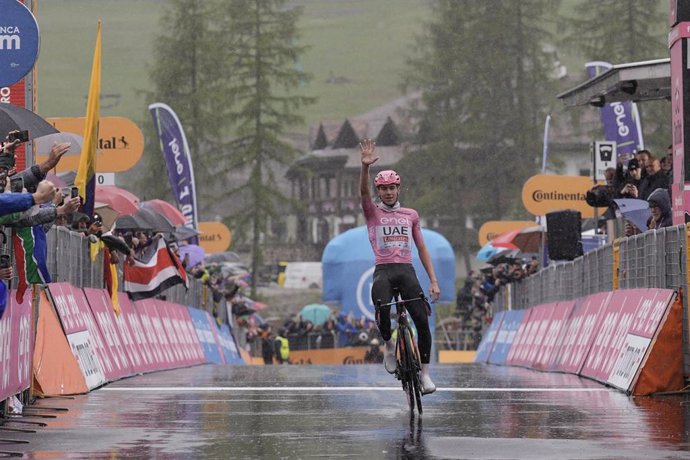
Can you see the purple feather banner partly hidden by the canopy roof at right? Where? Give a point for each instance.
(620, 120)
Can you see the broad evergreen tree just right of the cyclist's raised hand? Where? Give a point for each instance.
(484, 77)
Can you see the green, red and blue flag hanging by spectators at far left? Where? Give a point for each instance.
(31, 256)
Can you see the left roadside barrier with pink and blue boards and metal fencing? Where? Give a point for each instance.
(66, 338)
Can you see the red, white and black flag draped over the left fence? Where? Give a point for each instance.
(144, 280)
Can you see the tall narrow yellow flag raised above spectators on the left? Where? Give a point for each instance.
(86, 174)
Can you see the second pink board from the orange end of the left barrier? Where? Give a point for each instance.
(102, 310)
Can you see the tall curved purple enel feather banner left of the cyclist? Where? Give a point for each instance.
(178, 160)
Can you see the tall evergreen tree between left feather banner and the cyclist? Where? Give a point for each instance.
(258, 40)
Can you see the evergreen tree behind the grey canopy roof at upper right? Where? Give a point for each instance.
(620, 31)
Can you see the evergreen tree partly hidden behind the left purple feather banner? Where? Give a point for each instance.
(185, 76)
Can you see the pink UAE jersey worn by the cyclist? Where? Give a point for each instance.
(391, 232)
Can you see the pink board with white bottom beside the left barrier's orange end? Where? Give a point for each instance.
(82, 333)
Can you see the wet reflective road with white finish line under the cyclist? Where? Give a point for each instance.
(303, 412)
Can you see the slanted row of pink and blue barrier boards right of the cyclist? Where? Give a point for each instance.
(627, 339)
